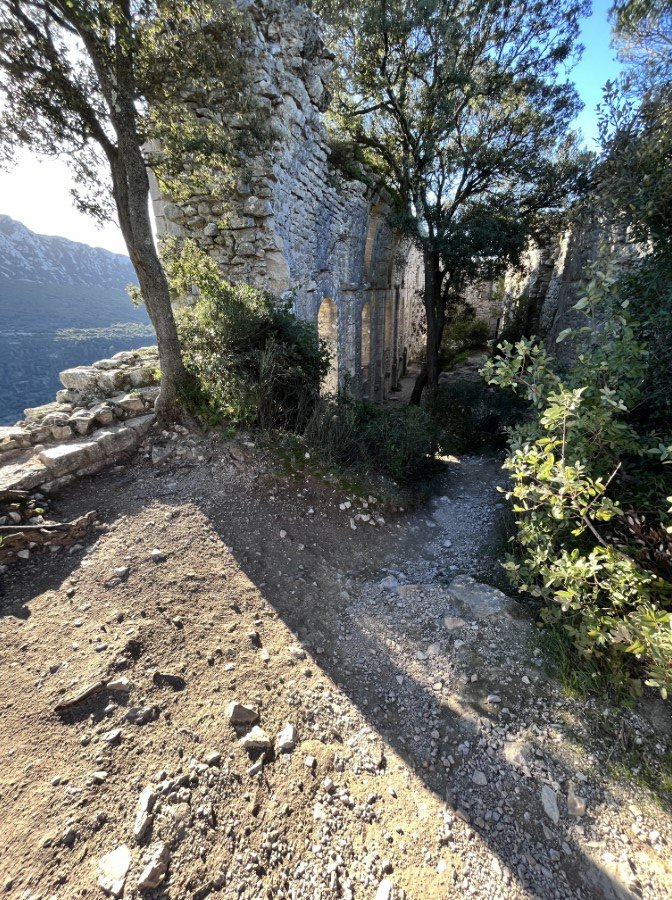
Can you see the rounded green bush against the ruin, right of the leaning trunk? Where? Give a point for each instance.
(253, 362)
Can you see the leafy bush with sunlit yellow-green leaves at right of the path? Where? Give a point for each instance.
(582, 471)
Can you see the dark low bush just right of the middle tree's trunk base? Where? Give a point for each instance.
(471, 416)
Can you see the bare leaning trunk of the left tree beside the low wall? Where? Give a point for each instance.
(131, 193)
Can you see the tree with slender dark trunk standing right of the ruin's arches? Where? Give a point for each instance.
(462, 108)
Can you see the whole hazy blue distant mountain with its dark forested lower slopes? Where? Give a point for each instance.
(62, 304)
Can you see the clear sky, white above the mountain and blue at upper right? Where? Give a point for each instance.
(37, 192)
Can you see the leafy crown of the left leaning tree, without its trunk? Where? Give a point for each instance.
(63, 95)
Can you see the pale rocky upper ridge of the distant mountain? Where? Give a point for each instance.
(38, 258)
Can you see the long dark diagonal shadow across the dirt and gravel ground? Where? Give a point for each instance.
(300, 581)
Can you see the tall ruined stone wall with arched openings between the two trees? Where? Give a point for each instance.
(299, 227)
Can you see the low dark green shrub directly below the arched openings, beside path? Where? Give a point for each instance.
(354, 434)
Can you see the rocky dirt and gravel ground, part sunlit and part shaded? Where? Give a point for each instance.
(249, 684)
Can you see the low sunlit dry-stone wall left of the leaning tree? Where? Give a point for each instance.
(102, 412)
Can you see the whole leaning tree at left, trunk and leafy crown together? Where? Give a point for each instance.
(101, 82)
